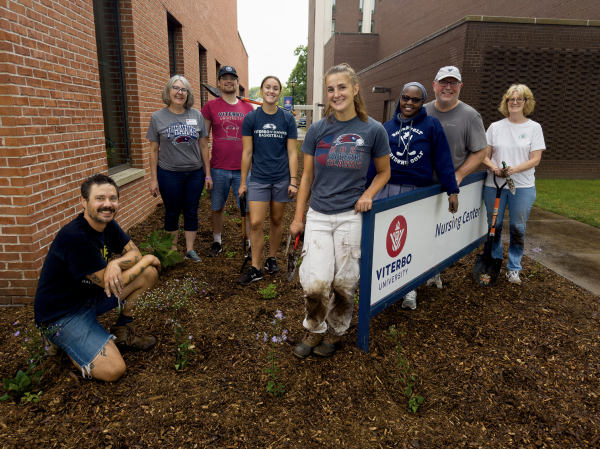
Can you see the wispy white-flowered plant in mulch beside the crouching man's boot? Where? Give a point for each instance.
(176, 299)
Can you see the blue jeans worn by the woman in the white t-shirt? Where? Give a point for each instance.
(519, 206)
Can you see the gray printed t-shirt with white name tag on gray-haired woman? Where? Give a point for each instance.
(178, 137)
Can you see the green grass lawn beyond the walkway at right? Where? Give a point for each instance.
(578, 199)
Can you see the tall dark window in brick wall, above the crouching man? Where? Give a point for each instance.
(107, 21)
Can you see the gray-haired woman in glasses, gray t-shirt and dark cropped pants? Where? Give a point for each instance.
(179, 170)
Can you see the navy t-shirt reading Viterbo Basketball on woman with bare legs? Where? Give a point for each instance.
(270, 132)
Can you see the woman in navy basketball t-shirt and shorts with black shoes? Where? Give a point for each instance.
(269, 136)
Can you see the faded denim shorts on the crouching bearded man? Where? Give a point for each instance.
(80, 334)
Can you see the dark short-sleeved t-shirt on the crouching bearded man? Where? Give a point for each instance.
(77, 251)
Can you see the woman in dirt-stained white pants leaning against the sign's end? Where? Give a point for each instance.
(337, 151)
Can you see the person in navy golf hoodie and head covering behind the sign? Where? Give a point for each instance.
(419, 146)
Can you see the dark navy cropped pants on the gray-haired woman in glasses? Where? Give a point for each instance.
(180, 191)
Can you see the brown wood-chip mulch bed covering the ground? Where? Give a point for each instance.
(506, 367)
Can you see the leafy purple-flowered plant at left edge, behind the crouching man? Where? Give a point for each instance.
(34, 343)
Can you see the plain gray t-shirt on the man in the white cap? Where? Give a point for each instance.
(463, 128)
